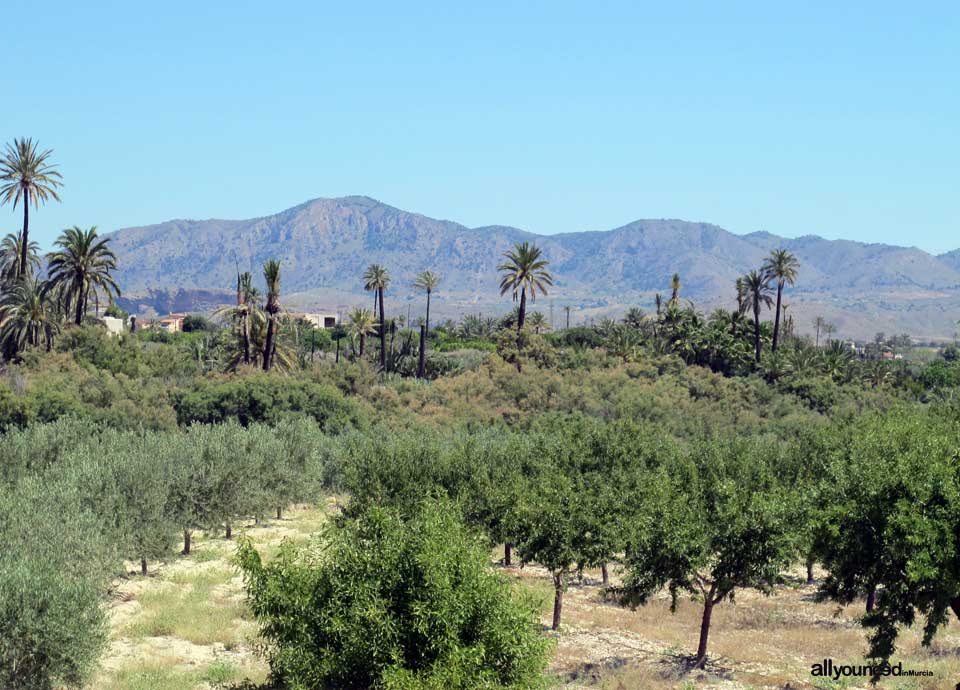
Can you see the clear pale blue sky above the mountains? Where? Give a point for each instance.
(838, 119)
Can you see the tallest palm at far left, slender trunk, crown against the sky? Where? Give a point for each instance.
(27, 174)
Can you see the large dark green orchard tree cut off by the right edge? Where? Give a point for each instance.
(892, 530)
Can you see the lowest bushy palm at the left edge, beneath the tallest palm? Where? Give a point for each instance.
(27, 313)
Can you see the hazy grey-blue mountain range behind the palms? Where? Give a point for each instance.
(325, 244)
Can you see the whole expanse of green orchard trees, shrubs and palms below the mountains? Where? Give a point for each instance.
(700, 455)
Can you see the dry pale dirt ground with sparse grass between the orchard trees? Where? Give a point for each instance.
(186, 626)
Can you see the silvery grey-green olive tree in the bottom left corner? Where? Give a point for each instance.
(53, 570)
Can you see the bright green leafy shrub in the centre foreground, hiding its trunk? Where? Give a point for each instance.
(377, 602)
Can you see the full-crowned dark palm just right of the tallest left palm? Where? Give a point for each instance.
(82, 266)
